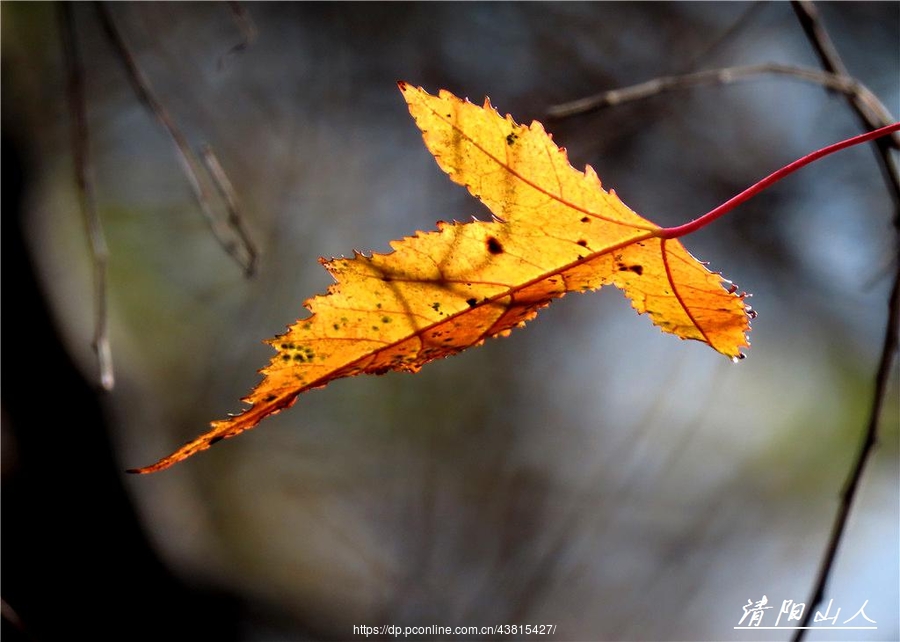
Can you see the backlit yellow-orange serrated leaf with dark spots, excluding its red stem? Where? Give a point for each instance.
(438, 293)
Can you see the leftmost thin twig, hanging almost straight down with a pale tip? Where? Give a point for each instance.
(85, 187)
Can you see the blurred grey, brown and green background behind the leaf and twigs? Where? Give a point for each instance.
(586, 471)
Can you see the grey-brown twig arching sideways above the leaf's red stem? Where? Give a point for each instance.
(727, 75)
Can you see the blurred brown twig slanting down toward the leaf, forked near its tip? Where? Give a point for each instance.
(240, 248)
